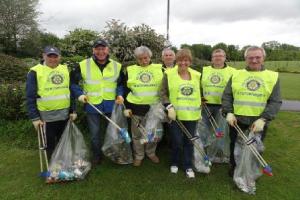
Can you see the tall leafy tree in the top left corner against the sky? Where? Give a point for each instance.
(17, 18)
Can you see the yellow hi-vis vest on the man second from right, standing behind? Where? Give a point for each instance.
(214, 81)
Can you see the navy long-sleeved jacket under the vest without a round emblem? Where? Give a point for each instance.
(105, 106)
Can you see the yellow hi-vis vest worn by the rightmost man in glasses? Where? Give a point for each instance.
(251, 91)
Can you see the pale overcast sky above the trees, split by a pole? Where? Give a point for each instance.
(238, 22)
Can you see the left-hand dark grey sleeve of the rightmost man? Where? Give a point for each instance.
(227, 99)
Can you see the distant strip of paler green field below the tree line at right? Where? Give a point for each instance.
(281, 66)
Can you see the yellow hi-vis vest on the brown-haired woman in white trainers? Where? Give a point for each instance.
(185, 94)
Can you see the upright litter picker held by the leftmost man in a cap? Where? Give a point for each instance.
(42, 151)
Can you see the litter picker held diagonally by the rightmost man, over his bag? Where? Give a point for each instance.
(266, 168)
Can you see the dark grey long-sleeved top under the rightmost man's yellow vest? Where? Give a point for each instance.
(272, 107)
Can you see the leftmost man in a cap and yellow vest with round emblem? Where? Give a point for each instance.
(48, 96)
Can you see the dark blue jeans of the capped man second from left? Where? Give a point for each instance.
(97, 127)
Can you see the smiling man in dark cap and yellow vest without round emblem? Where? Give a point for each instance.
(101, 87)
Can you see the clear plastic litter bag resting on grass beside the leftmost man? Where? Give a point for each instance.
(70, 159)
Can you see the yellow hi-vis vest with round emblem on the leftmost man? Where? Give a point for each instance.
(52, 87)
